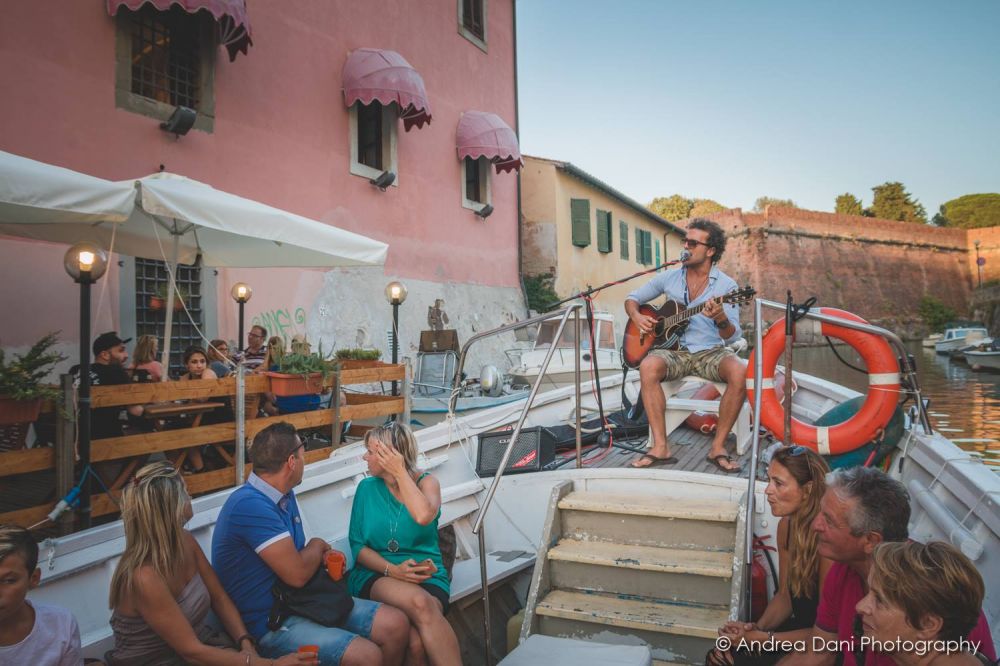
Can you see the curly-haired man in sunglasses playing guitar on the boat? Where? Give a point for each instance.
(702, 346)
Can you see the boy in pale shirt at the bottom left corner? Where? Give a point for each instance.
(36, 634)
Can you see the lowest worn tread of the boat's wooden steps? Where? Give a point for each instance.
(613, 611)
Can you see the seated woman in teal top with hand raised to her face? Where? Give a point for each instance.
(393, 535)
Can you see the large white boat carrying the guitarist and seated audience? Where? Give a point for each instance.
(553, 541)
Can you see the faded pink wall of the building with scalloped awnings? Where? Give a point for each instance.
(280, 136)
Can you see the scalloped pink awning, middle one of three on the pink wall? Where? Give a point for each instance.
(383, 75)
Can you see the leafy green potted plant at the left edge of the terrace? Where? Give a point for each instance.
(21, 387)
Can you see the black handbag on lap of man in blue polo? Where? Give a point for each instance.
(323, 600)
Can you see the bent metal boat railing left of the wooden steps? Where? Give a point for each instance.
(563, 315)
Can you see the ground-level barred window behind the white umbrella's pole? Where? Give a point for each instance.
(151, 282)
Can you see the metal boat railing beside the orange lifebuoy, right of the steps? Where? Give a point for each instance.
(907, 369)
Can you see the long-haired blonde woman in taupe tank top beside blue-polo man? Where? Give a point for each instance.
(163, 586)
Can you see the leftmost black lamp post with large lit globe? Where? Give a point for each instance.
(85, 262)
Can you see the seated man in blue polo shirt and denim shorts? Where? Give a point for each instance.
(258, 538)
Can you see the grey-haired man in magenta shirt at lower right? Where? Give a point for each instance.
(862, 507)
